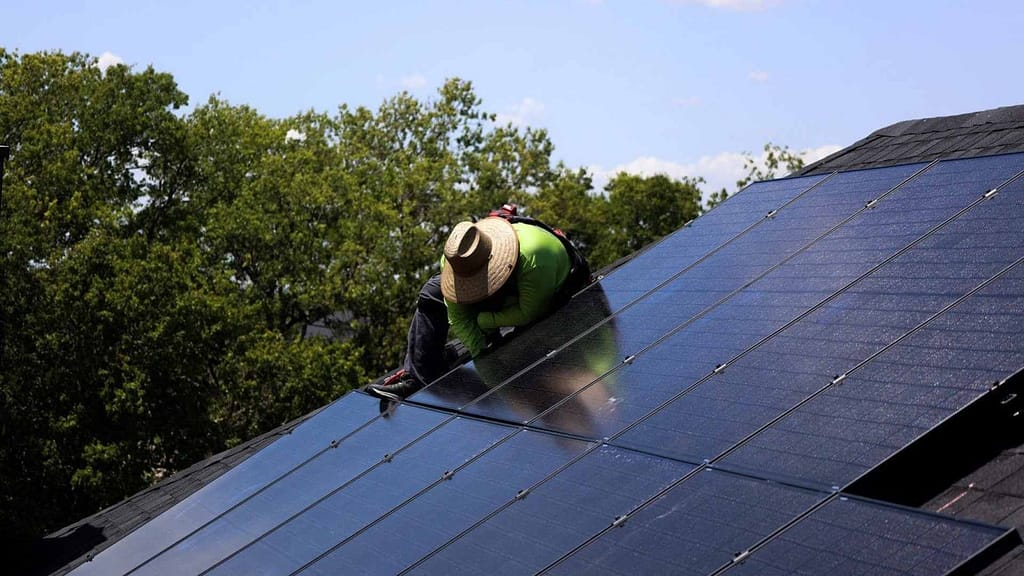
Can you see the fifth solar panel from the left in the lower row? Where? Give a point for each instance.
(558, 516)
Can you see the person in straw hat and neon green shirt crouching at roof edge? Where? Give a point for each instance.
(502, 271)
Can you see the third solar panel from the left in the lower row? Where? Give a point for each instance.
(319, 529)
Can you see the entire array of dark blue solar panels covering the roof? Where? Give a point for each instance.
(701, 410)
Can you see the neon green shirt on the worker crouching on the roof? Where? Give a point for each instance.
(542, 269)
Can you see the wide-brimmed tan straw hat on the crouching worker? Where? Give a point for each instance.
(480, 258)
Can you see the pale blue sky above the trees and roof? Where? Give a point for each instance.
(676, 87)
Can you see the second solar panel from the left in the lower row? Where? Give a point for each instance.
(292, 493)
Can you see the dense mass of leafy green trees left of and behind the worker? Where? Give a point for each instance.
(160, 267)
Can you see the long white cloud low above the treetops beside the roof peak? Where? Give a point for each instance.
(719, 172)
